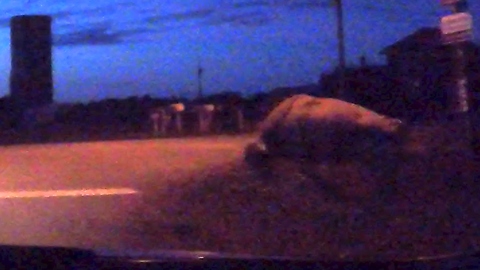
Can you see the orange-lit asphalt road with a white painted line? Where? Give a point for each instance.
(82, 194)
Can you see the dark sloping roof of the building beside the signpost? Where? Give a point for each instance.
(425, 38)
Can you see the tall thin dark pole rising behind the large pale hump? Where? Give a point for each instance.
(341, 49)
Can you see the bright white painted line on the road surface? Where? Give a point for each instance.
(66, 193)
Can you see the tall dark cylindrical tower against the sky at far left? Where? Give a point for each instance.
(31, 77)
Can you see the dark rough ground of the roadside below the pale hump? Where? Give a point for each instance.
(418, 202)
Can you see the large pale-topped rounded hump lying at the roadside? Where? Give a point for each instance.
(304, 126)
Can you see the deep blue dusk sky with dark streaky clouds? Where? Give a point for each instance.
(120, 48)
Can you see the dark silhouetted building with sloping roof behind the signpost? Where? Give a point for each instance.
(424, 65)
